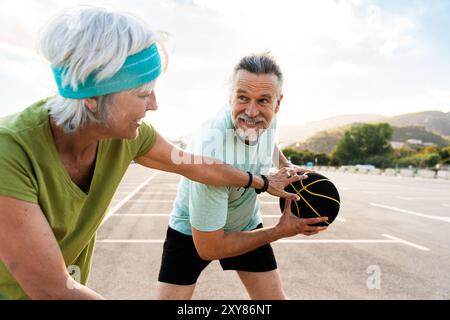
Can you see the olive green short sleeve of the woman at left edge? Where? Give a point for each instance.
(16, 172)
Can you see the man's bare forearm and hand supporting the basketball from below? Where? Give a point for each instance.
(219, 244)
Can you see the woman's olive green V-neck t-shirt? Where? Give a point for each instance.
(31, 170)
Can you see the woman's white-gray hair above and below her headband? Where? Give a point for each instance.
(86, 40)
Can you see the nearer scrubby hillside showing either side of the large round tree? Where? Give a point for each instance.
(325, 141)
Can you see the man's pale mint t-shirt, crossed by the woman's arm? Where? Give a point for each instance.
(209, 208)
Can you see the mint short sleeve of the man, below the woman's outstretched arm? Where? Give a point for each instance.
(208, 206)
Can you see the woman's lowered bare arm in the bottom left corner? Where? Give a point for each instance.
(32, 255)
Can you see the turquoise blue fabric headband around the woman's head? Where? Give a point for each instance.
(138, 69)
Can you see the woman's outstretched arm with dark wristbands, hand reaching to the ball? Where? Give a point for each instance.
(167, 157)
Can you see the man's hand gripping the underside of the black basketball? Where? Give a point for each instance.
(289, 225)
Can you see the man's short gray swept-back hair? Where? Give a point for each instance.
(260, 63)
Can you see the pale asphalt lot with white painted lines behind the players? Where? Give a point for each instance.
(391, 241)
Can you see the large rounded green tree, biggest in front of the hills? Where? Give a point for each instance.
(365, 142)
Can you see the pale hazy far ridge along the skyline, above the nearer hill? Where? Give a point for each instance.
(434, 121)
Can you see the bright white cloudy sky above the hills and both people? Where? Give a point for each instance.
(338, 56)
